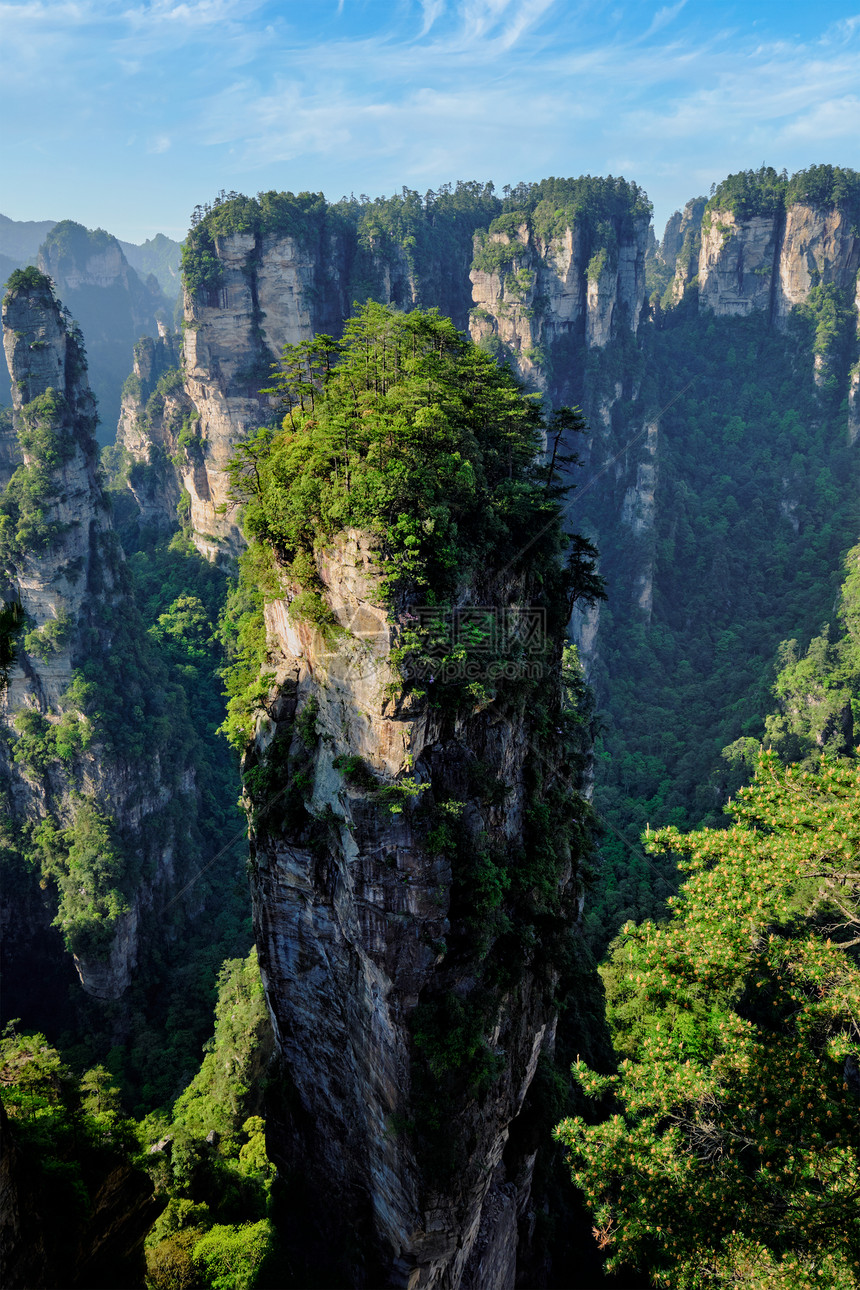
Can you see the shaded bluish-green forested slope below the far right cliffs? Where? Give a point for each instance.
(756, 504)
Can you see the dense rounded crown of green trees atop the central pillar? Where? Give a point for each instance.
(403, 443)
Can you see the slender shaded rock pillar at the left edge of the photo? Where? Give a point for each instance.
(64, 776)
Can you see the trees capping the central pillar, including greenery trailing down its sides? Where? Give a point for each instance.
(407, 432)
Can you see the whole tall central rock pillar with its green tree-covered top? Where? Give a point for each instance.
(418, 839)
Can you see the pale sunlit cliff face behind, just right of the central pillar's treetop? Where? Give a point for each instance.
(532, 292)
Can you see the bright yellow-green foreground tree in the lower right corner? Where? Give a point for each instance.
(732, 1151)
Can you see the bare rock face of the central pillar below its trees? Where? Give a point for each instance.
(351, 931)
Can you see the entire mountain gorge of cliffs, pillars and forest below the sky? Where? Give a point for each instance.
(430, 651)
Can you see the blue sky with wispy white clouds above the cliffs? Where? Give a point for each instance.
(126, 114)
